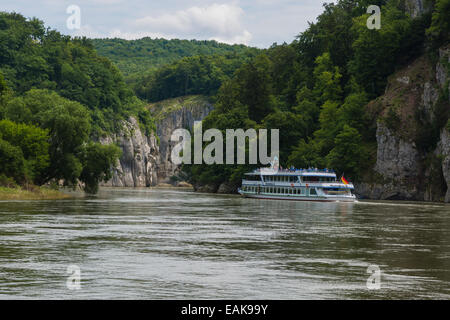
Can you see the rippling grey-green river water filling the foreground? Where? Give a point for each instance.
(174, 244)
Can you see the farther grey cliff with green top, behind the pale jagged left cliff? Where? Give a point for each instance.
(181, 114)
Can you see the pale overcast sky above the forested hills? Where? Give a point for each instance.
(257, 23)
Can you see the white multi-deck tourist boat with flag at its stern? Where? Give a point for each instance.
(297, 184)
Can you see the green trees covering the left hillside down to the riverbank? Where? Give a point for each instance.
(55, 94)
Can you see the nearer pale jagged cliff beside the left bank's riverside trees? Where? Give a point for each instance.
(137, 165)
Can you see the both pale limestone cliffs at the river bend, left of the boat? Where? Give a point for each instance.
(145, 161)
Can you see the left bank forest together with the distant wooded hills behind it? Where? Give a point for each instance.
(59, 94)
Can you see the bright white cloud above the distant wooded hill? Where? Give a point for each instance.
(221, 22)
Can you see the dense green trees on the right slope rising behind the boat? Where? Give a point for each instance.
(315, 90)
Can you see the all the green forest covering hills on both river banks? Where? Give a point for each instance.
(59, 94)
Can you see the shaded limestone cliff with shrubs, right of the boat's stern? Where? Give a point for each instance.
(413, 156)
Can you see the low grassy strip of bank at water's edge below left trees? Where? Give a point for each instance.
(37, 193)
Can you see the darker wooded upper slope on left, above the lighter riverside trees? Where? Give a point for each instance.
(34, 57)
